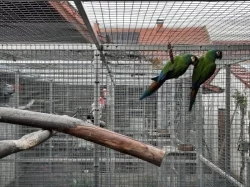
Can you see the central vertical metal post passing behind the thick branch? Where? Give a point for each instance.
(96, 116)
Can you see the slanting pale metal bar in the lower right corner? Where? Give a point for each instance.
(220, 171)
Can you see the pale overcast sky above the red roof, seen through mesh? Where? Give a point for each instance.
(224, 20)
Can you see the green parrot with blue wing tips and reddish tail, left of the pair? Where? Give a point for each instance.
(170, 71)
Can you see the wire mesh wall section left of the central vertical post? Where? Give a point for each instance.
(57, 87)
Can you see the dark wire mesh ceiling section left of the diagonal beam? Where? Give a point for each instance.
(40, 21)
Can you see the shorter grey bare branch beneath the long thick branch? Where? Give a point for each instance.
(7, 147)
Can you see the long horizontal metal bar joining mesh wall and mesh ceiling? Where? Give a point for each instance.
(120, 47)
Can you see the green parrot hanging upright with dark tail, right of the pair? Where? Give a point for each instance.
(202, 71)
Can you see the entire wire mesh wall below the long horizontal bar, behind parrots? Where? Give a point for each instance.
(66, 87)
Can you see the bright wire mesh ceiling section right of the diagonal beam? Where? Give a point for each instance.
(184, 22)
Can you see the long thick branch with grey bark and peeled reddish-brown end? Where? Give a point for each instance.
(84, 130)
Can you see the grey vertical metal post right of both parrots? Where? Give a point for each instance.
(228, 125)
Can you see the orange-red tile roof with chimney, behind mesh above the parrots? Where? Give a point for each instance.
(161, 36)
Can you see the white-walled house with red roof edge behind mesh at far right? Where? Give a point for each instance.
(215, 113)
